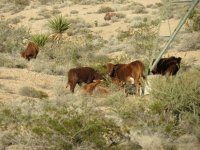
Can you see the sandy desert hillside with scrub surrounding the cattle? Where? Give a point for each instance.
(38, 112)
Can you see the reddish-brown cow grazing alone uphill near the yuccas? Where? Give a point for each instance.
(31, 51)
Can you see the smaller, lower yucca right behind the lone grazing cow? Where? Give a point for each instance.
(40, 39)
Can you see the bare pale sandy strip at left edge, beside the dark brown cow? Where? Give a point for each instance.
(12, 80)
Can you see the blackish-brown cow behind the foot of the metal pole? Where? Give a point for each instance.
(167, 66)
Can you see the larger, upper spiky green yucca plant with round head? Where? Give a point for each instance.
(58, 24)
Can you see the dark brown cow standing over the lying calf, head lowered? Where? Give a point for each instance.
(80, 75)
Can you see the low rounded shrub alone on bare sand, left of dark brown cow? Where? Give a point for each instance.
(32, 92)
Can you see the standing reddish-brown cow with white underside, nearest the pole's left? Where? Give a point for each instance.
(124, 72)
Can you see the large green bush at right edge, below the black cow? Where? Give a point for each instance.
(180, 97)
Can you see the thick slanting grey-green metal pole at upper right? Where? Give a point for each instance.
(182, 21)
